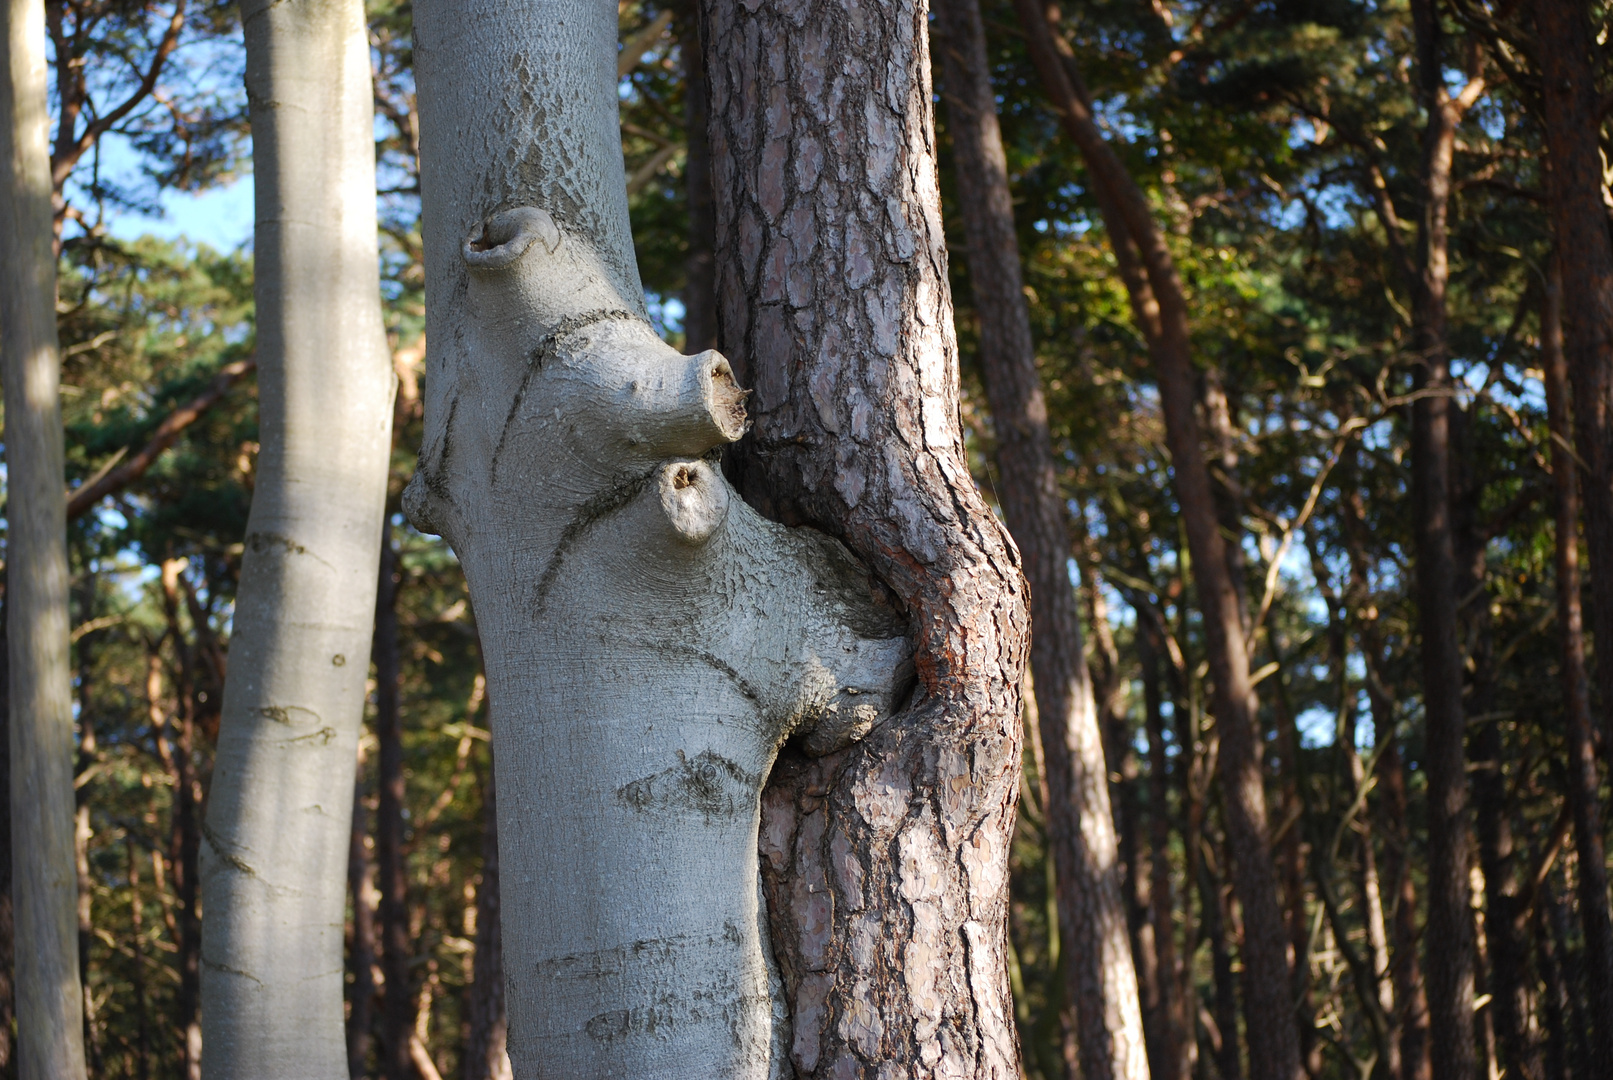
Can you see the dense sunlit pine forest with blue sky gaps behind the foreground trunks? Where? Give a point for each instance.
(1365, 210)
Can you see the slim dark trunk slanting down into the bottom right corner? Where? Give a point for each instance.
(1582, 773)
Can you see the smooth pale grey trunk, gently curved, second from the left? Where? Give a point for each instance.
(280, 813)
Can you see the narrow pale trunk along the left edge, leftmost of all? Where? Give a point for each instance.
(49, 1003)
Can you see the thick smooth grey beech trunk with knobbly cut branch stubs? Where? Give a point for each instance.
(649, 639)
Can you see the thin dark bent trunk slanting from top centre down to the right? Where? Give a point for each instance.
(1162, 315)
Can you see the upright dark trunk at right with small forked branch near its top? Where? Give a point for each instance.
(1449, 937)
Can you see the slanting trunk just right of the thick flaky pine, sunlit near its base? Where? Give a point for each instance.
(1098, 960)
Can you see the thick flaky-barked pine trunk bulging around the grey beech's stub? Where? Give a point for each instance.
(886, 866)
